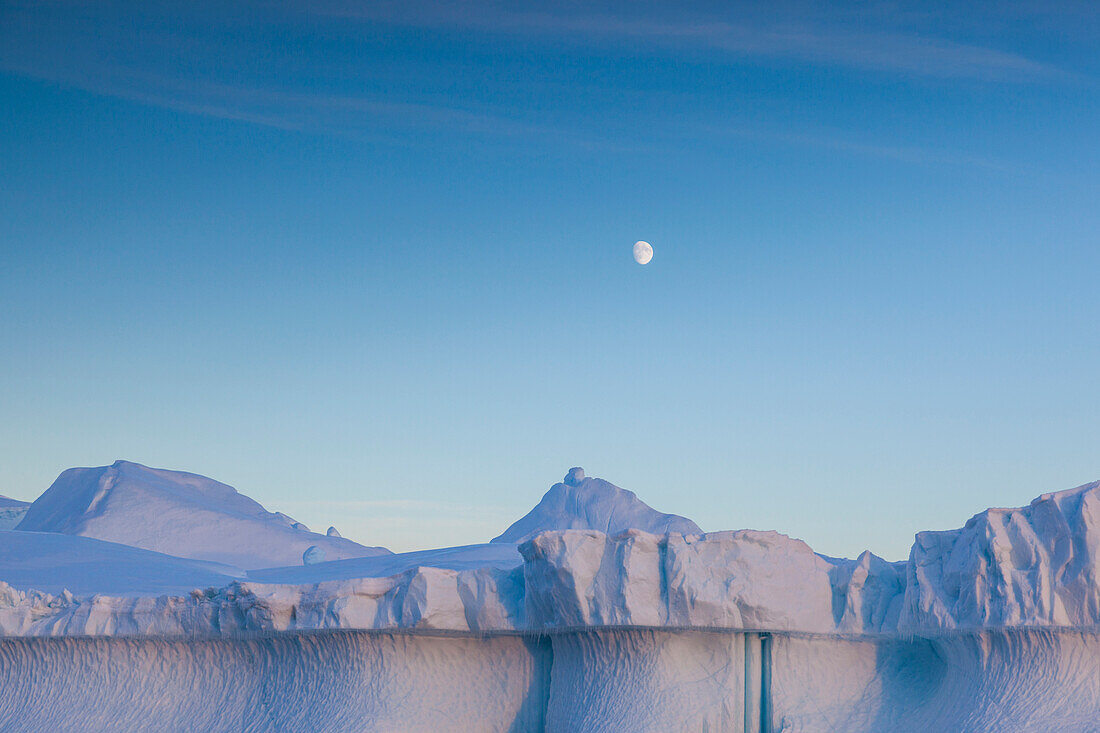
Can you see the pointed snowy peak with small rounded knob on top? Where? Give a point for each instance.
(585, 504)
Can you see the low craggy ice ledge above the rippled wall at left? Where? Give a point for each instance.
(421, 599)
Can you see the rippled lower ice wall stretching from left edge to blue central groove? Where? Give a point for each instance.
(331, 682)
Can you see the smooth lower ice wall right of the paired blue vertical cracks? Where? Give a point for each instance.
(1005, 682)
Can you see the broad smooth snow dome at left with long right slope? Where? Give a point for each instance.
(178, 513)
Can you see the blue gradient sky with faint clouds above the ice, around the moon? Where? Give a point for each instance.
(371, 265)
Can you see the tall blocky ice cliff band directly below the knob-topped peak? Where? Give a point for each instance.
(744, 581)
